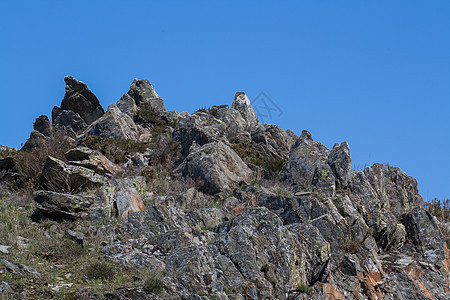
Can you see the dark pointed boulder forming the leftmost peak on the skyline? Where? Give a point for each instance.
(79, 99)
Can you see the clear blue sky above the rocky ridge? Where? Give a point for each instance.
(373, 73)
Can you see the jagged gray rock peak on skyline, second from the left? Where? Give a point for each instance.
(143, 91)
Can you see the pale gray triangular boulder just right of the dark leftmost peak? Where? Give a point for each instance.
(113, 124)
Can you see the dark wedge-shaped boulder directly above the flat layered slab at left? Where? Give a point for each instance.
(57, 176)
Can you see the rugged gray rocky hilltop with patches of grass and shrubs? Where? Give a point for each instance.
(143, 203)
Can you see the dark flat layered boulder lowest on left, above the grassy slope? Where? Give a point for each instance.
(62, 205)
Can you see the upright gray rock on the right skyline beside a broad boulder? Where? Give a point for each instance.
(340, 162)
